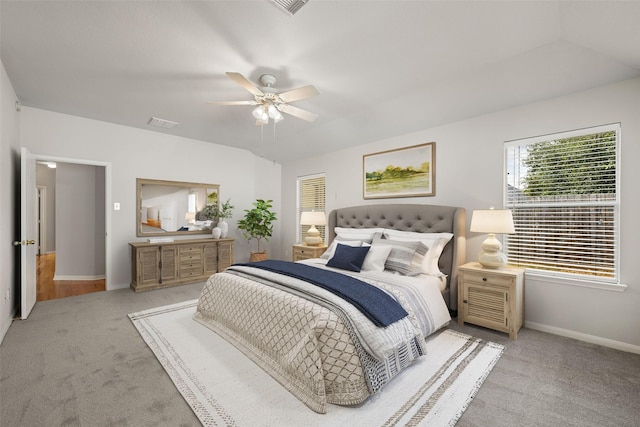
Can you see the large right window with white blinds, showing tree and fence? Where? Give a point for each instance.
(563, 192)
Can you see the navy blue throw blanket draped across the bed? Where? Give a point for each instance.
(376, 304)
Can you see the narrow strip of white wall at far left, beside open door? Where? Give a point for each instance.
(9, 200)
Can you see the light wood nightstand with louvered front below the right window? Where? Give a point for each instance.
(493, 298)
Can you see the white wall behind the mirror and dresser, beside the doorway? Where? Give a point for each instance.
(137, 153)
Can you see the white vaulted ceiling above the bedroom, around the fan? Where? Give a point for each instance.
(384, 68)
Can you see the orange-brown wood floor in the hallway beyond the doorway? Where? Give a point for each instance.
(48, 289)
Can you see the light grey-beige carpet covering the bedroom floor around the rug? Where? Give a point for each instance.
(79, 361)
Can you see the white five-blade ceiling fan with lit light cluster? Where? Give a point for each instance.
(269, 102)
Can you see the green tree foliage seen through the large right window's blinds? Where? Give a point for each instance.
(571, 166)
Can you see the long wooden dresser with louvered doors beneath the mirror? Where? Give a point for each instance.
(160, 265)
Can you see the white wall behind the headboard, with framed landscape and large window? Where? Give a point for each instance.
(469, 174)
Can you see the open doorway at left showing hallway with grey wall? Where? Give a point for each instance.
(71, 229)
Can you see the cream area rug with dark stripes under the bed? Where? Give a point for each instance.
(224, 387)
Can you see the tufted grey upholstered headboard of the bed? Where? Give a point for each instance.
(417, 218)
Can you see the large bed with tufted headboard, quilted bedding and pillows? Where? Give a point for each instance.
(319, 347)
